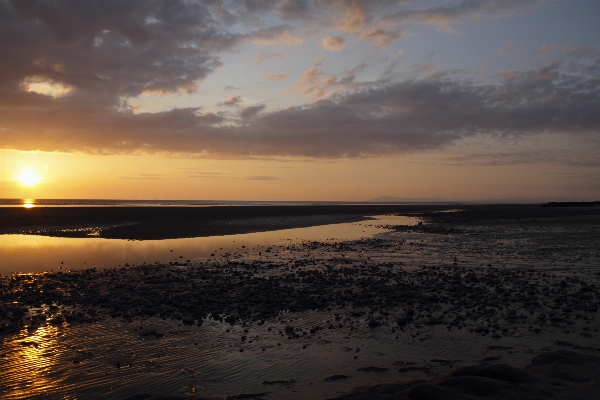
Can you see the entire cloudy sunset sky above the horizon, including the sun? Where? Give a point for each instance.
(312, 100)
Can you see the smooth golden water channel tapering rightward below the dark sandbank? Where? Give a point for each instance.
(31, 253)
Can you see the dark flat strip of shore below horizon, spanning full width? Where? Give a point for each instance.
(143, 223)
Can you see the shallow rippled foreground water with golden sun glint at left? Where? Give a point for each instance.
(79, 361)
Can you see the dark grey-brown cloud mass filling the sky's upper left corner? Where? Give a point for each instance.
(108, 49)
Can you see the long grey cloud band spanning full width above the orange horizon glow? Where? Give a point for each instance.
(381, 118)
